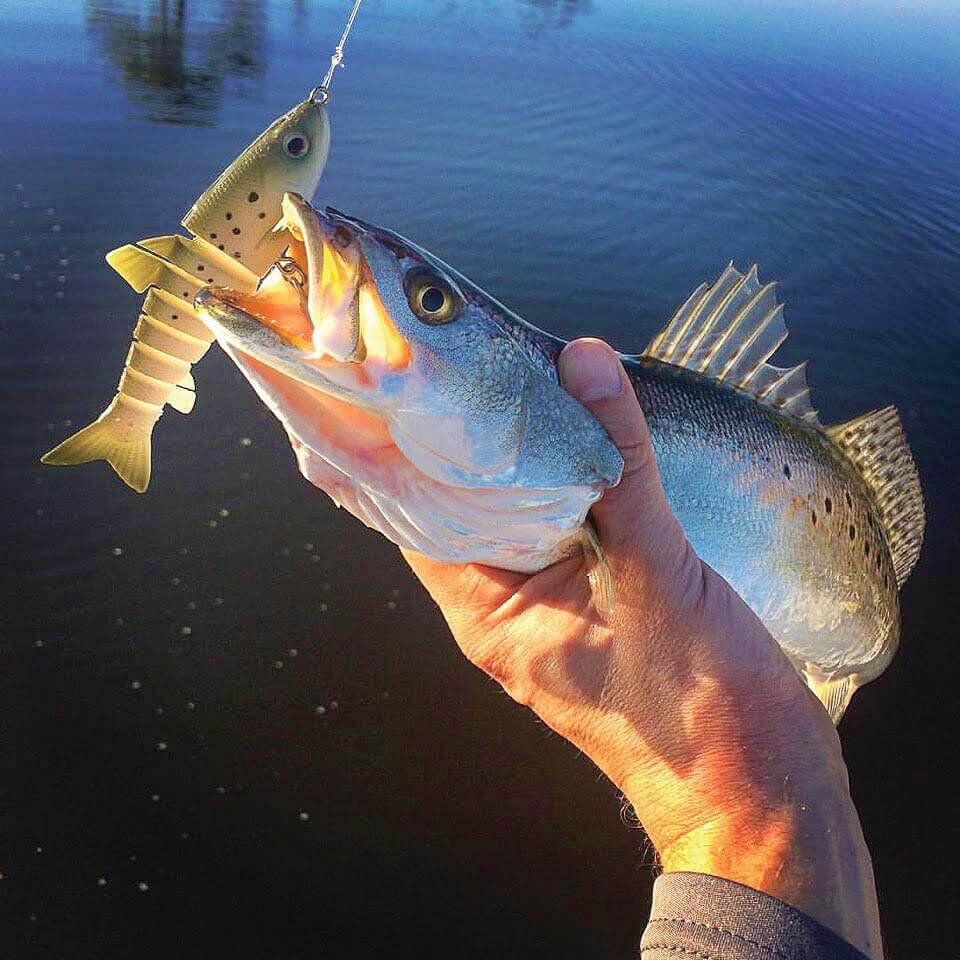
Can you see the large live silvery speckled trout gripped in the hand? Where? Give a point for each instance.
(435, 415)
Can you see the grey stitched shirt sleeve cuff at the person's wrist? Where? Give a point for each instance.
(699, 917)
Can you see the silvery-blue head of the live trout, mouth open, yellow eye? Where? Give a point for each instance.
(388, 366)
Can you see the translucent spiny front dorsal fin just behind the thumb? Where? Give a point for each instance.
(727, 331)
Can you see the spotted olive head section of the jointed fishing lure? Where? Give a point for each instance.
(241, 208)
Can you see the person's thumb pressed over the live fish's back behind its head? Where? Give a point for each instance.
(635, 514)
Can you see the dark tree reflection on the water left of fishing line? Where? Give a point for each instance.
(175, 66)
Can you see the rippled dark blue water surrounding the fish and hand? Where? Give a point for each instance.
(232, 724)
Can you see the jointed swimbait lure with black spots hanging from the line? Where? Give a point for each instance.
(232, 242)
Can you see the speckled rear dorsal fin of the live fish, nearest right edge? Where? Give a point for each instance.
(877, 446)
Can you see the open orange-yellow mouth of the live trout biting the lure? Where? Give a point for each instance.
(319, 300)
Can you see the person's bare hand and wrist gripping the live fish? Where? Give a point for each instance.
(680, 696)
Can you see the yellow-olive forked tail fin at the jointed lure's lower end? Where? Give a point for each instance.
(120, 435)
